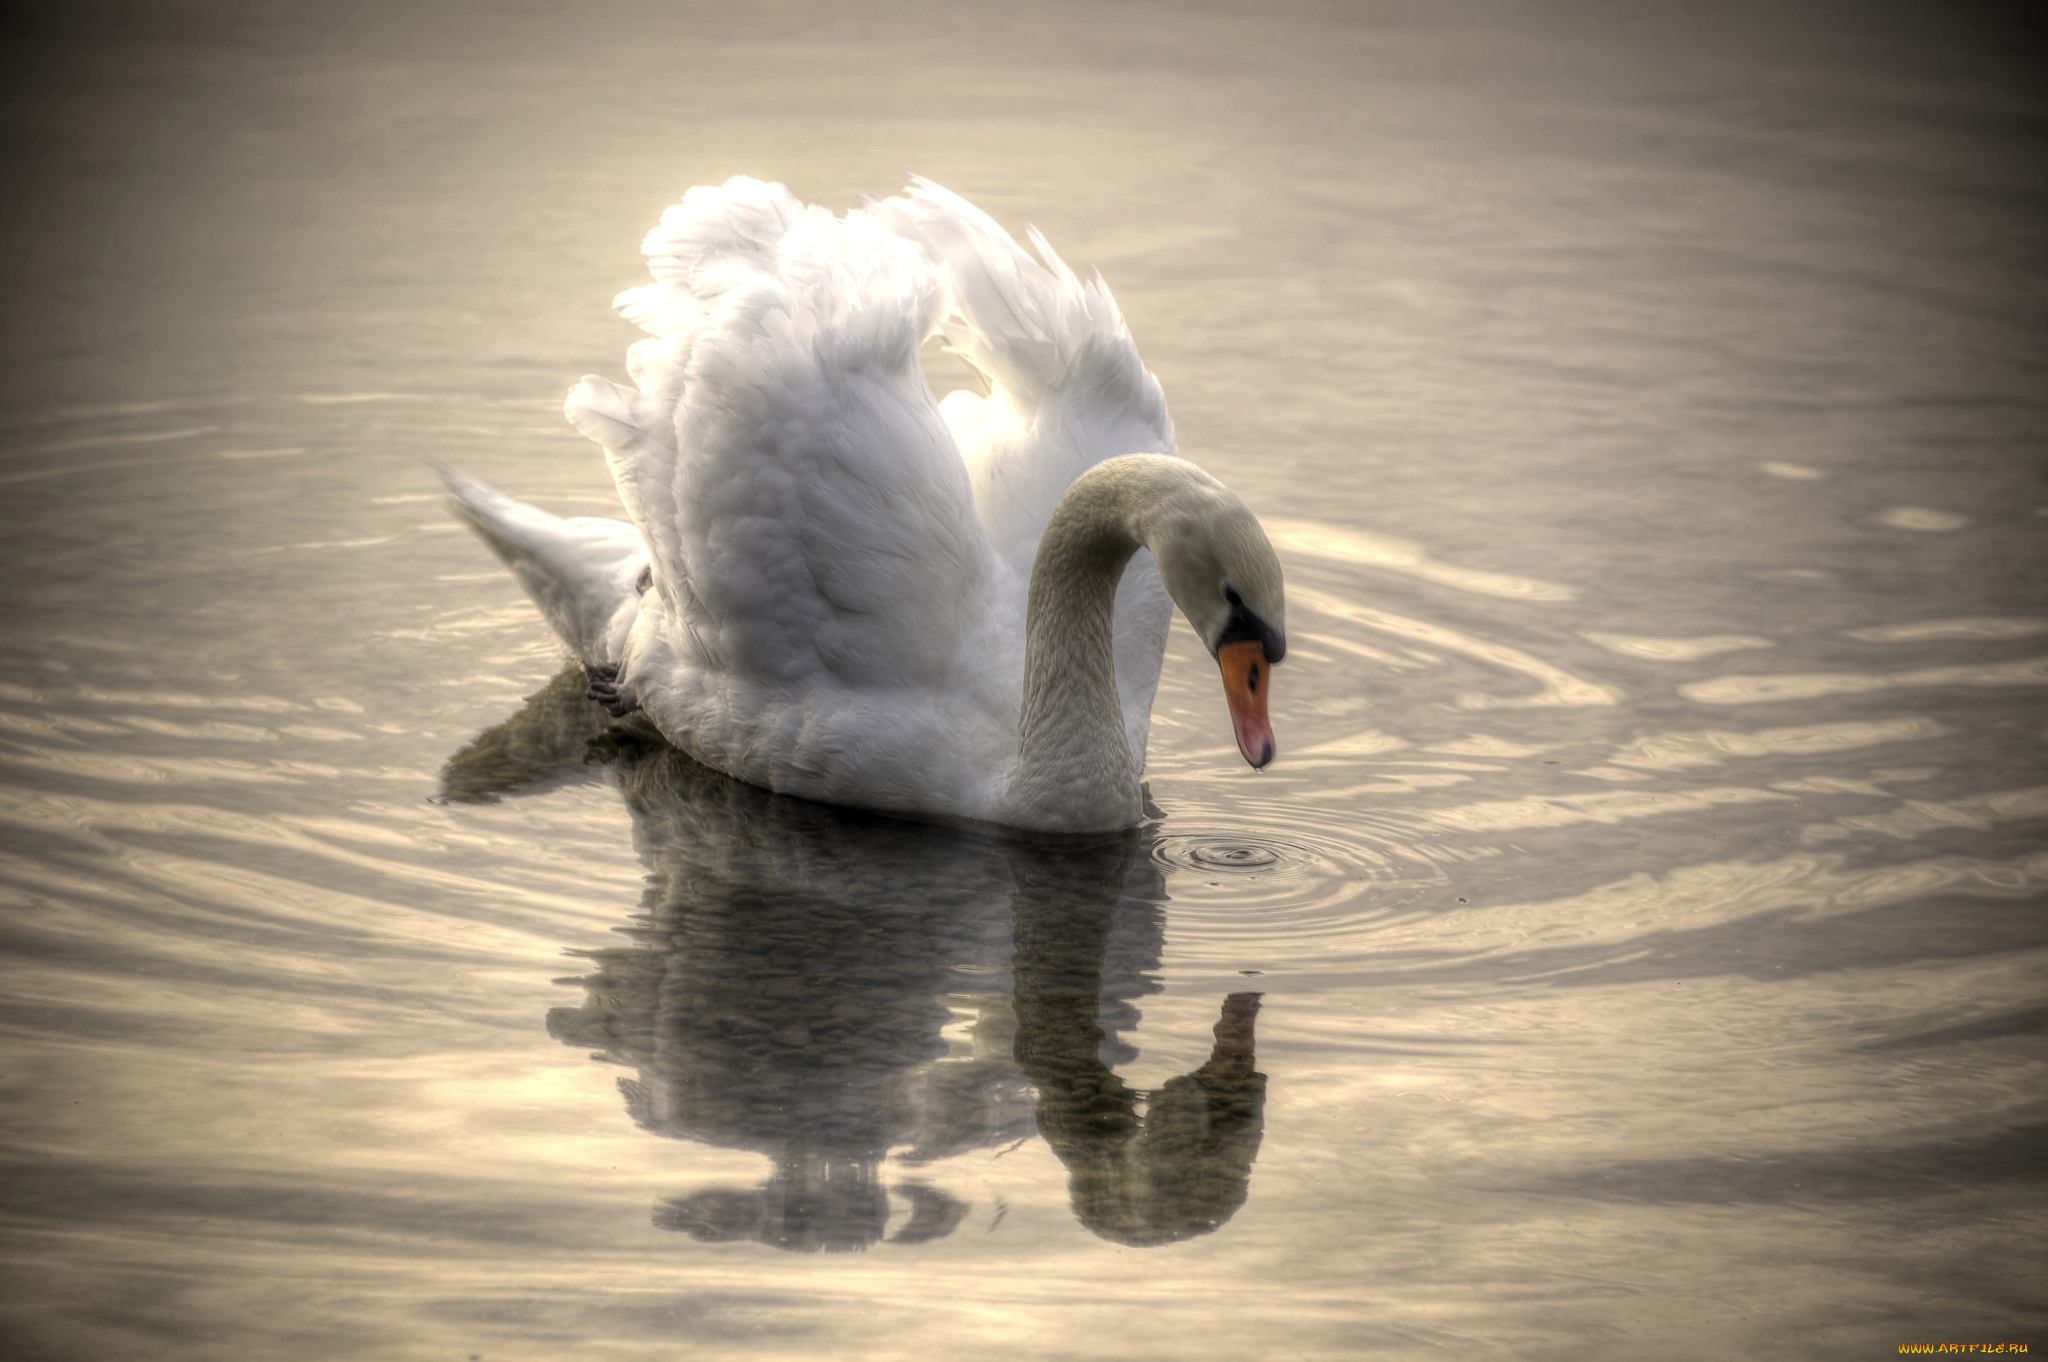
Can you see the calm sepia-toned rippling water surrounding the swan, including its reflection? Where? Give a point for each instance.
(1637, 951)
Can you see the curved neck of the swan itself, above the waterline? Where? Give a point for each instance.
(1074, 767)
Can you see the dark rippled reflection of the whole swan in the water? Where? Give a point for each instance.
(796, 982)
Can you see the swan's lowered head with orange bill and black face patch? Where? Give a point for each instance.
(1226, 579)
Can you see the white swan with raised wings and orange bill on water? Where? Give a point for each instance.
(841, 589)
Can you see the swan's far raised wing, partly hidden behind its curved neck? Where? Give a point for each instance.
(1066, 384)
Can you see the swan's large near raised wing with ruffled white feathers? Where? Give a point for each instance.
(806, 505)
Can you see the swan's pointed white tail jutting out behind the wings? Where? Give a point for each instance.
(585, 574)
